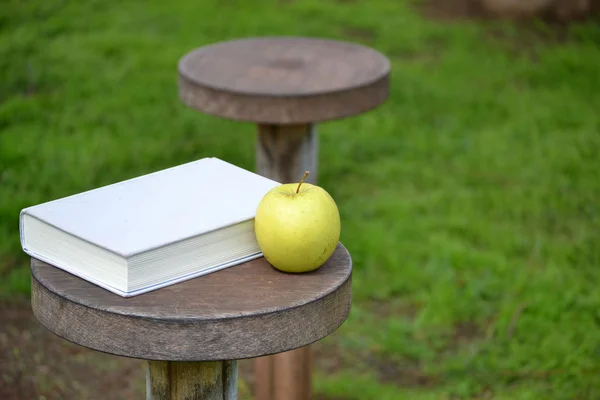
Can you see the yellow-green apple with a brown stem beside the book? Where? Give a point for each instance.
(297, 226)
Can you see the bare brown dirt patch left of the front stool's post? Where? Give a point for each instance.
(37, 364)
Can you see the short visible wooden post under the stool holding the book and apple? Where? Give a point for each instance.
(177, 380)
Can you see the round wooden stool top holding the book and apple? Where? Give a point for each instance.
(245, 311)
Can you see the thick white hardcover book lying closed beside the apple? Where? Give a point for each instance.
(151, 231)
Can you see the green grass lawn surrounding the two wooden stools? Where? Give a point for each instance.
(469, 200)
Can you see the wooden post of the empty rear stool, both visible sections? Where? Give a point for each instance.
(283, 153)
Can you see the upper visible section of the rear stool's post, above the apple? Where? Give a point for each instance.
(284, 152)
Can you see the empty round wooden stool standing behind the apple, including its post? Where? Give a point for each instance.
(285, 85)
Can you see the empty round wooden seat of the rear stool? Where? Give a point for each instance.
(283, 80)
